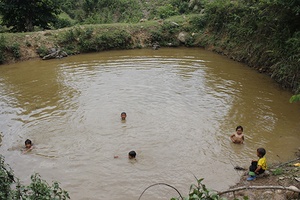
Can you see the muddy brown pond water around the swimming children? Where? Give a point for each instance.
(182, 106)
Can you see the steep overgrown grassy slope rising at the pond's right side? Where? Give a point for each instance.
(263, 34)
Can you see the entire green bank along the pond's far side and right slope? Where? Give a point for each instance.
(263, 35)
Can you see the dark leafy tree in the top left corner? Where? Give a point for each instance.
(23, 15)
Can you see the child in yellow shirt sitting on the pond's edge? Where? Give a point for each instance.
(258, 167)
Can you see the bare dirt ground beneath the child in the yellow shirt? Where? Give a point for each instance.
(283, 175)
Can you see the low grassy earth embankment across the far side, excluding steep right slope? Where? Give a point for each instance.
(16, 47)
